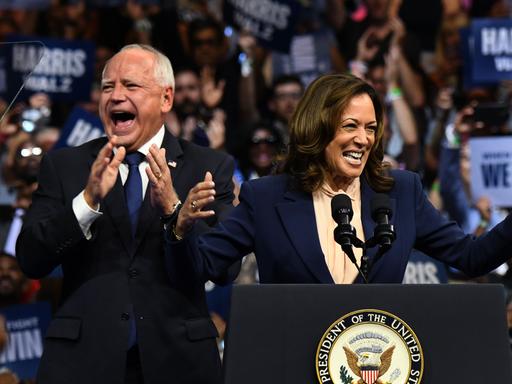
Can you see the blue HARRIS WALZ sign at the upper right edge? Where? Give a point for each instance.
(491, 50)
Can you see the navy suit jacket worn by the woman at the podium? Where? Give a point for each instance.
(277, 222)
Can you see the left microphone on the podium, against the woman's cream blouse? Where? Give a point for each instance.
(344, 233)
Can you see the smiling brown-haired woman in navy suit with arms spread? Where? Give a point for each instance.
(335, 148)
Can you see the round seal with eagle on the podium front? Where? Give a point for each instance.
(369, 346)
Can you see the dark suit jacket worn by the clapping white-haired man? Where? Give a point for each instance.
(105, 276)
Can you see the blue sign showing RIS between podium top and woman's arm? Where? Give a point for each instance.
(422, 269)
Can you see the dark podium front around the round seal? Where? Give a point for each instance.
(274, 330)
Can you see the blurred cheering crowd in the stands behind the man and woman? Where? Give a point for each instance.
(235, 95)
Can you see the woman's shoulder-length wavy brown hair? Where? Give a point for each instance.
(314, 124)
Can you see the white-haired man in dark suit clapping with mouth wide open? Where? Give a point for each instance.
(127, 316)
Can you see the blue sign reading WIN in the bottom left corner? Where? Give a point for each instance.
(26, 325)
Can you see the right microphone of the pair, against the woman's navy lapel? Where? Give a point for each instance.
(384, 233)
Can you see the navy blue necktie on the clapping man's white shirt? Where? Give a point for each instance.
(133, 187)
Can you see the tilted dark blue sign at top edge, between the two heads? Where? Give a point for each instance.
(272, 22)
